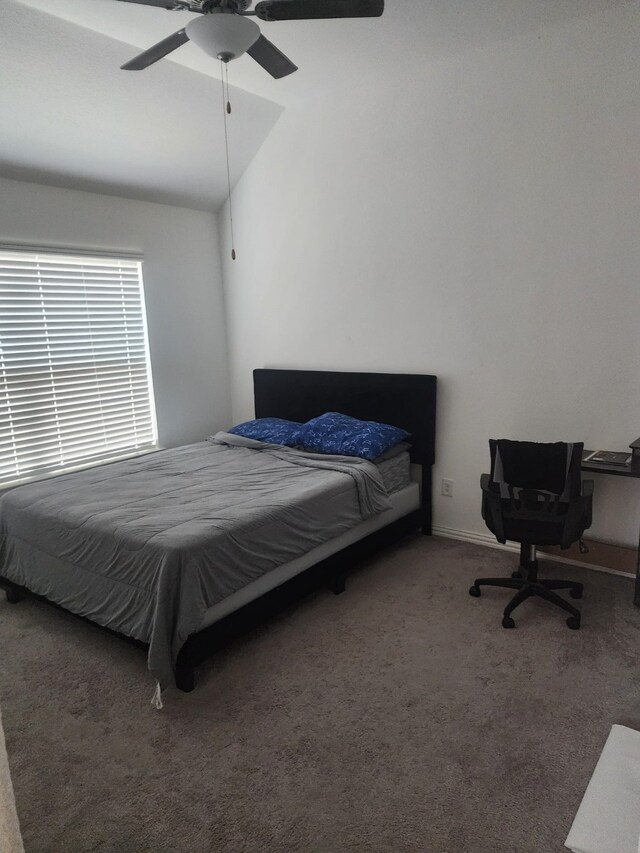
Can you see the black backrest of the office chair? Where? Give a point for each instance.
(545, 467)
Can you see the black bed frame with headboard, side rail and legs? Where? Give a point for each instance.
(404, 400)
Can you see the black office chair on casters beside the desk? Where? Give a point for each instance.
(535, 496)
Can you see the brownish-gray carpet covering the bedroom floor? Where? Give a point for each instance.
(399, 716)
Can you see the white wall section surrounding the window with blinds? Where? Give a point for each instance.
(182, 282)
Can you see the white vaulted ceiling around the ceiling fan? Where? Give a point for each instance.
(71, 117)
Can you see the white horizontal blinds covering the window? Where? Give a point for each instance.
(75, 378)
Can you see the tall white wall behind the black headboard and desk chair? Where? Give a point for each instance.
(476, 218)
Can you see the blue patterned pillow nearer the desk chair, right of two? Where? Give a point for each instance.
(345, 436)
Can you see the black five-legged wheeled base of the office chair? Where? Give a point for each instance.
(527, 584)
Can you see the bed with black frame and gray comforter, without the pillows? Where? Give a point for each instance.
(130, 545)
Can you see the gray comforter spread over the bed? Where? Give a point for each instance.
(146, 545)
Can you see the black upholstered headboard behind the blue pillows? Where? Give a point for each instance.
(405, 400)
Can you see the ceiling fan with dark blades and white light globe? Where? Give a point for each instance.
(225, 32)
